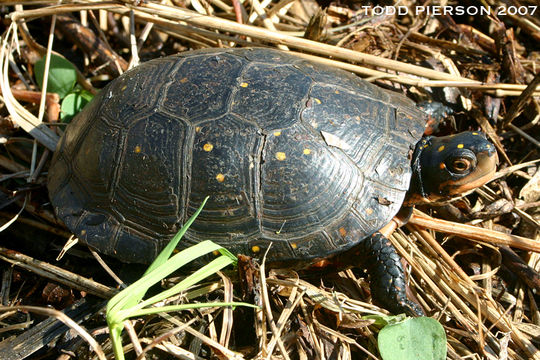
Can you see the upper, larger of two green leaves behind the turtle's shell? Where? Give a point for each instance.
(62, 75)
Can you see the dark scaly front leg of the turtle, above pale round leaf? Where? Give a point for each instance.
(387, 277)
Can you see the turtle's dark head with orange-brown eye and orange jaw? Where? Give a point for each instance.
(448, 167)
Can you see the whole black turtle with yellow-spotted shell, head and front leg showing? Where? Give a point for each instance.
(301, 161)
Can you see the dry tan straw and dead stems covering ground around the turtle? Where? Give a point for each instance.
(479, 280)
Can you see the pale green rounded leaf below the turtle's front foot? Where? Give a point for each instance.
(416, 338)
